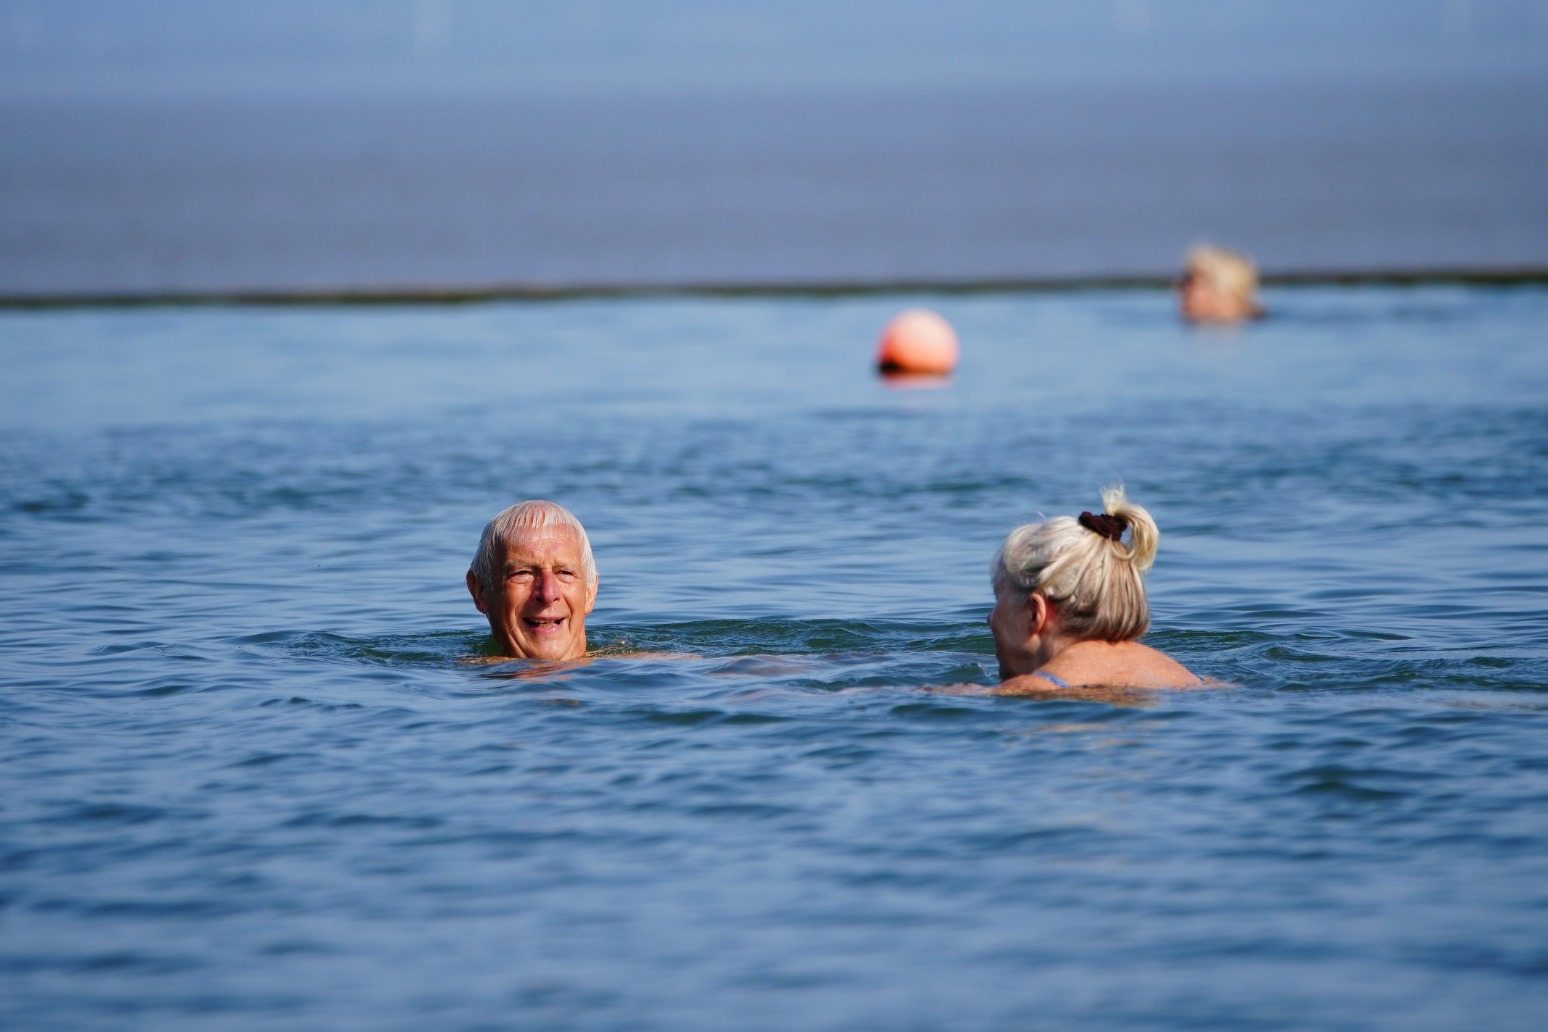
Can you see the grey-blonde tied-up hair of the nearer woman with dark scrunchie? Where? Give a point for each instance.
(1095, 583)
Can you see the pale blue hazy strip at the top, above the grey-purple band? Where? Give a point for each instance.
(97, 49)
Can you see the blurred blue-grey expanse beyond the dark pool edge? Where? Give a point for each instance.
(313, 146)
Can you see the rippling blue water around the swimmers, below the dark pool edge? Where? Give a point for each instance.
(248, 781)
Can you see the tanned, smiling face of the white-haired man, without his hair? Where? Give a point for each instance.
(539, 600)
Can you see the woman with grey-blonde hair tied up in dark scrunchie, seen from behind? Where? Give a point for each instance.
(1070, 604)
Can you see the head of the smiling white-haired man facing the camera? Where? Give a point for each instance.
(536, 581)
